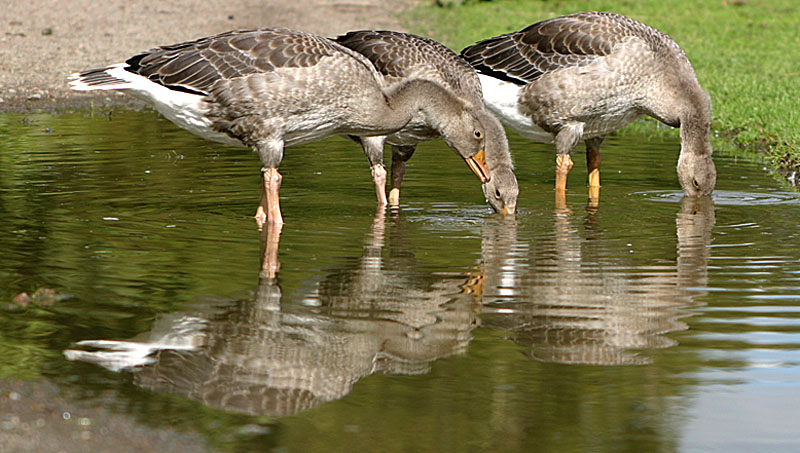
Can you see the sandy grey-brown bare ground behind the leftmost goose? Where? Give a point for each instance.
(43, 41)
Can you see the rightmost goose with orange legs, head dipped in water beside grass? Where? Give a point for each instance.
(584, 75)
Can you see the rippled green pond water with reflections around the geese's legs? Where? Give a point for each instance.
(652, 323)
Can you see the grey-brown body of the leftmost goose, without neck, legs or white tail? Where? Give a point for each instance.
(254, 81)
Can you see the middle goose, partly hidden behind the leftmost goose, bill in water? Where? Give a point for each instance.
(402, 56)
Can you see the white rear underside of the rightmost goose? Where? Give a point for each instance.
(501, 98)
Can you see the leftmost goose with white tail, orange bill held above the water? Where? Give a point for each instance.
(270, 88)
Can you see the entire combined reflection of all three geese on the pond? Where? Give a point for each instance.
(382, 312)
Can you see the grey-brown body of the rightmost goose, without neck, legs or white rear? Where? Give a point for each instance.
(600, 69)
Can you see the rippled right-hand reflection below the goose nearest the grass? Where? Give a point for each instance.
(568, 301)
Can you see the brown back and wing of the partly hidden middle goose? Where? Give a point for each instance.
(399, 56)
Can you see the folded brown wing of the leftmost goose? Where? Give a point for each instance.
(195, 66)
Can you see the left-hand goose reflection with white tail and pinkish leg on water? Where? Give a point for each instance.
(379, 313)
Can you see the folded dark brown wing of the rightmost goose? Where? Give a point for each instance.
(562, 42)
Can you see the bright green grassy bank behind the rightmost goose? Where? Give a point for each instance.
(746, 54)
